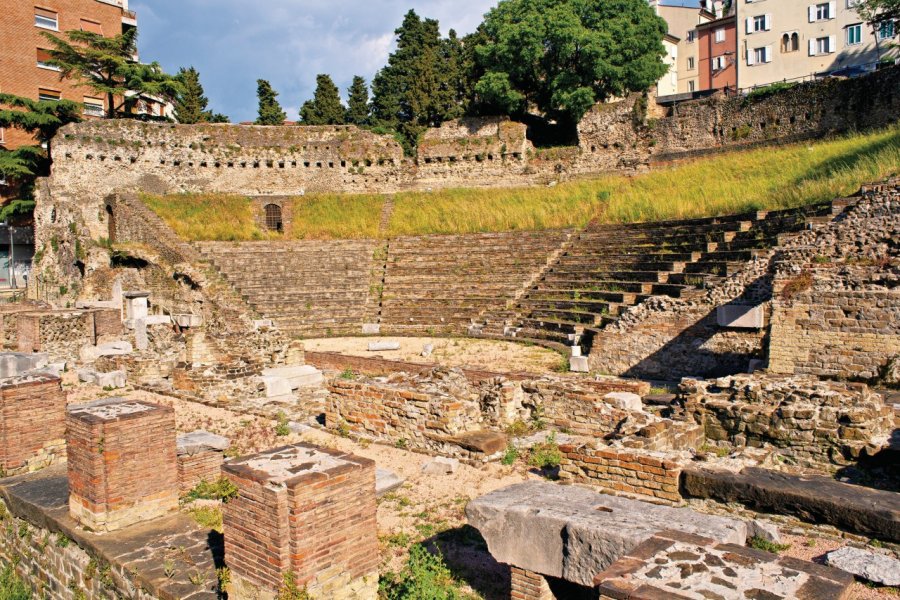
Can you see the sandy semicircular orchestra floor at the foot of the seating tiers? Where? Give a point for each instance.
(492, 355)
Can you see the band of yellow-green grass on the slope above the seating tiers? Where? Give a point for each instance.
(732, 182)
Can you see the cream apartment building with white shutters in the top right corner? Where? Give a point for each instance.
(781, 40)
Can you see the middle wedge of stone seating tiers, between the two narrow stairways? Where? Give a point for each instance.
(443, 283)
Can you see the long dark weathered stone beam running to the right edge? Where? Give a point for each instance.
(812, 498)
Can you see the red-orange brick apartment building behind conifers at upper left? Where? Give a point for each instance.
(23, 50)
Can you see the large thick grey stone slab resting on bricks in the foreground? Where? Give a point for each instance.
(574, 533)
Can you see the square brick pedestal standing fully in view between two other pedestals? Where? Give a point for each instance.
(122, 463)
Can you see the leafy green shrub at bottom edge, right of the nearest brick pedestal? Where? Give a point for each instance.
(424, 577)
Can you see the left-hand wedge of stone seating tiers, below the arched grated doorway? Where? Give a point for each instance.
(309, 289)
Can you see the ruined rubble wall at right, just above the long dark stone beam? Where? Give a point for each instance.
(806, 419)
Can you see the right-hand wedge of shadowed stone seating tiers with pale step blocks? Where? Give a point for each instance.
(608, 268)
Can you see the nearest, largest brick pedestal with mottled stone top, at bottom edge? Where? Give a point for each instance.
(304, 510)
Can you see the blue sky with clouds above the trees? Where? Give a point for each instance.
(235, 42)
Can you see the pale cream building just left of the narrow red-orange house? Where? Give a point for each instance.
(682, 52)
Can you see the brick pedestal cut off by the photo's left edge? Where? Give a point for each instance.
(32, 423)
